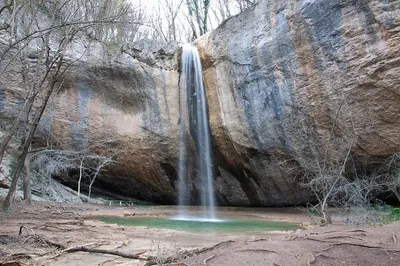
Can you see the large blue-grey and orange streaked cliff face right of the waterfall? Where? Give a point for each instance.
(335, 62)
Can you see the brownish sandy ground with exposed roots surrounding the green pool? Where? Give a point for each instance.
(50, 230)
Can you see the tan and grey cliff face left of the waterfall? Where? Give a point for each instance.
(131, 99)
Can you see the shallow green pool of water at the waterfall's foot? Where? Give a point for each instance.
(228, 225)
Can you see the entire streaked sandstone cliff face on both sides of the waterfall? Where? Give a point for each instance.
(333, 62)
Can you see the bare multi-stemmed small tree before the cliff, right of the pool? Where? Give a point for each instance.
(325, 160)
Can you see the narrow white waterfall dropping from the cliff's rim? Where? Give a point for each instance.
(194, 123)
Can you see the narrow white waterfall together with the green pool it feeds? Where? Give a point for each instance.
(195, 169)
